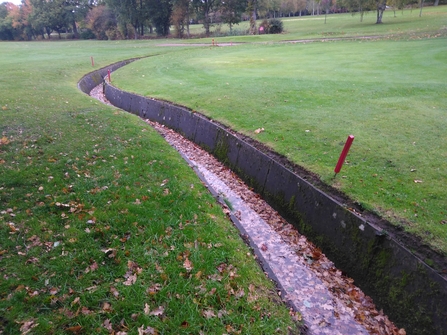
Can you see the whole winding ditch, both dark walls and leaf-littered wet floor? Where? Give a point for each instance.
(363, 246)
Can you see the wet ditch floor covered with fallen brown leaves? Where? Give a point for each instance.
(327, 301)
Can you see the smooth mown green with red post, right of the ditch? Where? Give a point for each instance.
(389, 93)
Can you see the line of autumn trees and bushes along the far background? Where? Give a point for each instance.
(125, 19)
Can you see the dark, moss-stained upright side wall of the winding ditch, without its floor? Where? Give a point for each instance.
(413, 294)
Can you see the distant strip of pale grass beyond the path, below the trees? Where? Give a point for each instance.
(406, 24)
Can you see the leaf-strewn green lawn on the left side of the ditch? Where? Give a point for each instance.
(103, 227)
